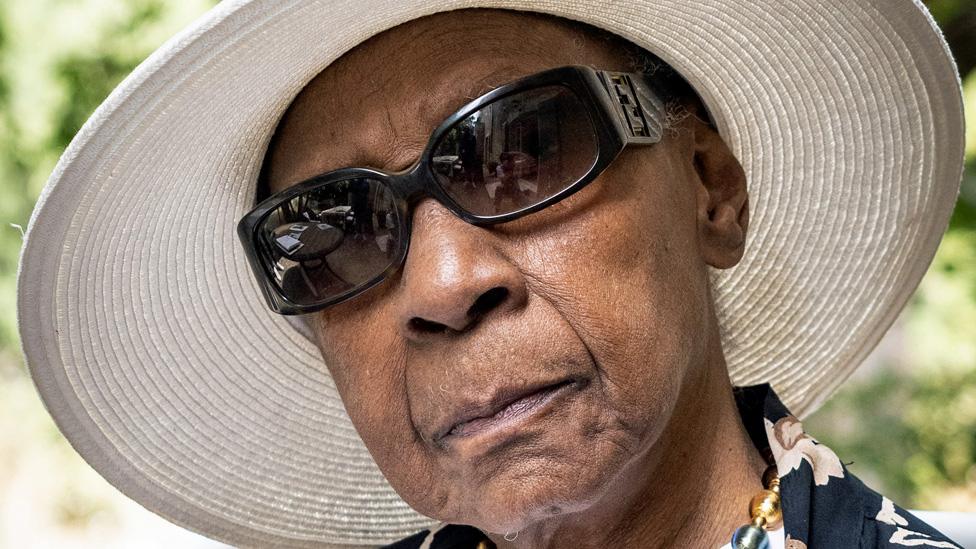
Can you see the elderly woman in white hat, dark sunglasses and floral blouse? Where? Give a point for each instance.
(506, 240)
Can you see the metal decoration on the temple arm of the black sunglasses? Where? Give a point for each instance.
(639, 108)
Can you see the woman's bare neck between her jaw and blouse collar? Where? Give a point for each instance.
(691, 489)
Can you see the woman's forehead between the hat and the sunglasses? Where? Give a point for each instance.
(377, 105)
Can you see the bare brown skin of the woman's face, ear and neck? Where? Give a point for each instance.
(607, 290)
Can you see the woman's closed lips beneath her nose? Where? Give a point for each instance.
(507, 407)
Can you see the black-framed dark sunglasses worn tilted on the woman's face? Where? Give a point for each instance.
(509, 153)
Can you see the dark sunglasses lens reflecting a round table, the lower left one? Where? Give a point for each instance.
(332, 240)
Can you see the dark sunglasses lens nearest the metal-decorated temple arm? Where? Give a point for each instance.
(517, 151)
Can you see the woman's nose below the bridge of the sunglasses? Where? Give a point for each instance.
(453, 277)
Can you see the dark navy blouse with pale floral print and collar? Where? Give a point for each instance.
(824, 506)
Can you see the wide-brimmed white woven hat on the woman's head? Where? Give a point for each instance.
(155, 353)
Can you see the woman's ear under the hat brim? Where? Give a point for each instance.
(723, 200)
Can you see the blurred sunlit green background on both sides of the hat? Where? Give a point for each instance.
(906, 422)
